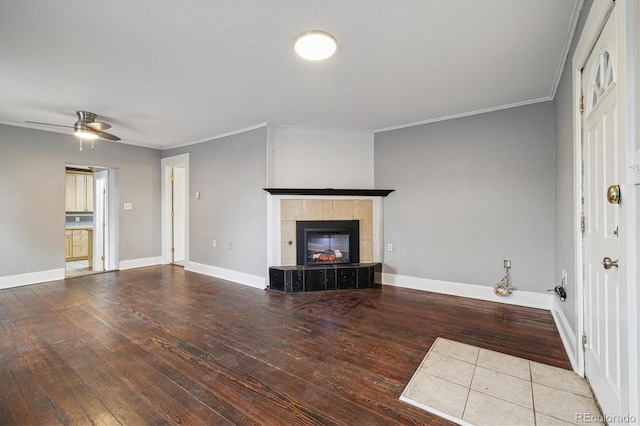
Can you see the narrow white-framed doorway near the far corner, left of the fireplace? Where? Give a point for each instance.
(175, 210)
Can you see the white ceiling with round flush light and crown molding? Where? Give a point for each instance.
(171, 73)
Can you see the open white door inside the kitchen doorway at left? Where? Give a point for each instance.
(100, 220)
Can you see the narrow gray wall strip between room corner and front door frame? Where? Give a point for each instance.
(564, 171)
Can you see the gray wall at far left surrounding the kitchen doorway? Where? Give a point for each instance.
(32, 197)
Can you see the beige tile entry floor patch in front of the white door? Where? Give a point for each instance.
(473, 386)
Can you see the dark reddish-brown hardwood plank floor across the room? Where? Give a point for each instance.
(159, 345)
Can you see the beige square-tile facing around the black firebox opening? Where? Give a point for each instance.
(292, 210)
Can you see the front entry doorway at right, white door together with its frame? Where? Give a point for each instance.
(604, 264)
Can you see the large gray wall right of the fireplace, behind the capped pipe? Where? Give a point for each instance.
(471, 192)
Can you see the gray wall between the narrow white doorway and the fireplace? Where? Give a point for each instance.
(230, 173)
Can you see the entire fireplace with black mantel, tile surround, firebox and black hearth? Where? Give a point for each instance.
(336, 216)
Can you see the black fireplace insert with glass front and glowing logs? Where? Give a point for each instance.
(327, 242)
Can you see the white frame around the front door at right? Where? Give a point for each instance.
(627, 30)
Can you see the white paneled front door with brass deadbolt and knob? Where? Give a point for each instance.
(605, 293)
